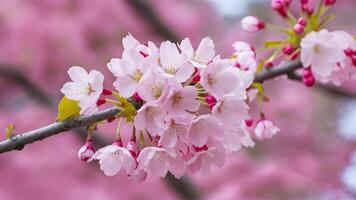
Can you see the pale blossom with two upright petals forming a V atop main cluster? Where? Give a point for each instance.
(203, 55)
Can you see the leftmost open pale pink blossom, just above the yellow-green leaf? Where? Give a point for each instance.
(85, 88)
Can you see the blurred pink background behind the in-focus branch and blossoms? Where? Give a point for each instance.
(312, 157)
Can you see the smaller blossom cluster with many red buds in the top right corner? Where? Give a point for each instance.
(327, 56)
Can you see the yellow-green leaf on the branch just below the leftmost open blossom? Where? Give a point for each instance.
(67, 109)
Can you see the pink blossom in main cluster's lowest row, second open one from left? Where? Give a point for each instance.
(158, 161)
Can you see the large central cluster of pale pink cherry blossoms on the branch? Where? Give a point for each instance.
(192, 107)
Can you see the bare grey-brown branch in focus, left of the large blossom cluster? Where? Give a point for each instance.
(19, 141)
